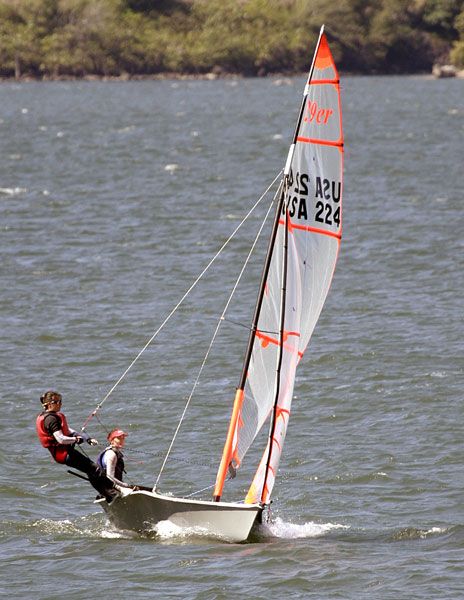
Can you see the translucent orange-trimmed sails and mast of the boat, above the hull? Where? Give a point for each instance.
(301, 260)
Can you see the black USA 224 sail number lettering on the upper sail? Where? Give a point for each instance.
(327, 196)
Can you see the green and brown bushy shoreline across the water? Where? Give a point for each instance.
(53, 38)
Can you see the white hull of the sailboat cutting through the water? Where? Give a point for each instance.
(142, 510)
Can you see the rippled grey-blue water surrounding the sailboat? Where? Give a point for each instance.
(113, 198)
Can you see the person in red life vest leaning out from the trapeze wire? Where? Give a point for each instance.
(56, 435)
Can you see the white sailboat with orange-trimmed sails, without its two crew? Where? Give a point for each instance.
(298, 269)
